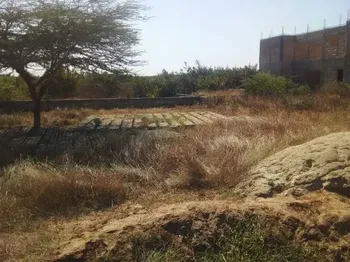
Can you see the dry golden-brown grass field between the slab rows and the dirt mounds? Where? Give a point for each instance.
(214, 156)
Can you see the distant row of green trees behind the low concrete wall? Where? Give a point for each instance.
(68, 84)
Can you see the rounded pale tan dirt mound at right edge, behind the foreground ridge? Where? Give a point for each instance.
(323, 163)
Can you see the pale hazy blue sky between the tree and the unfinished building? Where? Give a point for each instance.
(225, 32)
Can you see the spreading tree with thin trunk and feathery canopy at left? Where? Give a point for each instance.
(40, 37)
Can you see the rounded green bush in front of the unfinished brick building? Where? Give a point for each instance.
(263, 84)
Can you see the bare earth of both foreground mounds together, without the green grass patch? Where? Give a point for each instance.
(319, 218)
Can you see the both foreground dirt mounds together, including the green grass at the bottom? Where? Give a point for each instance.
(303, 216)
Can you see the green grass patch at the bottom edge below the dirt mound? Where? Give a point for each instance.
(241, 240)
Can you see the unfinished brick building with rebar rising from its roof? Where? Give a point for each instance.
(312, 58)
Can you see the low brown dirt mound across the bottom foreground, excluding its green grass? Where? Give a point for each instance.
(321, 219)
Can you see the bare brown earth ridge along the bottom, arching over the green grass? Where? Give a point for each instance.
(321, 218)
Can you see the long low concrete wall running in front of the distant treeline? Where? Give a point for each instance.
(106, 103)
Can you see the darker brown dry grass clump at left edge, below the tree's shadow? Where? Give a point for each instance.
(31, 190)
